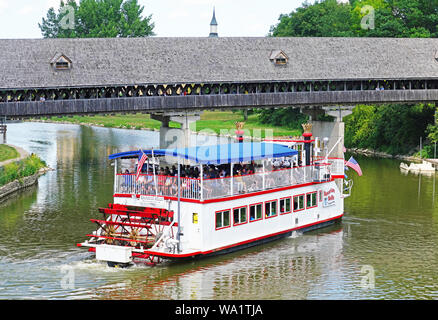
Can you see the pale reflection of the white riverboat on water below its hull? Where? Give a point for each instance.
(286, 267)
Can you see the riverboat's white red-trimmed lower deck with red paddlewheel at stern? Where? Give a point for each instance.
(209, 228)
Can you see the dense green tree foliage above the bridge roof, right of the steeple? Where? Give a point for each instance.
(328, 18)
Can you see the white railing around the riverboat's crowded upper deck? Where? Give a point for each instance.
(205, 189)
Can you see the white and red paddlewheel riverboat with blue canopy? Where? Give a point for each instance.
(205, 200)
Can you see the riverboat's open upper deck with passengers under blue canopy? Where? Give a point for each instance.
(222, 171)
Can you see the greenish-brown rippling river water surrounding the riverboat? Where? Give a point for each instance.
(386, 247)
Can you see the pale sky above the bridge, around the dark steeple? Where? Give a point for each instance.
(172, 18)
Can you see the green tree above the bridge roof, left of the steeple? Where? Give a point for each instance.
(97, 19)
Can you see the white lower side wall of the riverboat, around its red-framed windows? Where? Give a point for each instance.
(202, 236)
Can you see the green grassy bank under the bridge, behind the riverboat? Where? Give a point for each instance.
(210, 120)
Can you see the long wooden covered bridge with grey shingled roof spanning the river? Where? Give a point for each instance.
(176, 78)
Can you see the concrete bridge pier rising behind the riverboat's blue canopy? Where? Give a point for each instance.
(175, 137)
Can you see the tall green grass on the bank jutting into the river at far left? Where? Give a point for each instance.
(20, 169)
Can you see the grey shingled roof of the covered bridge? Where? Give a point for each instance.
(25, 63)
